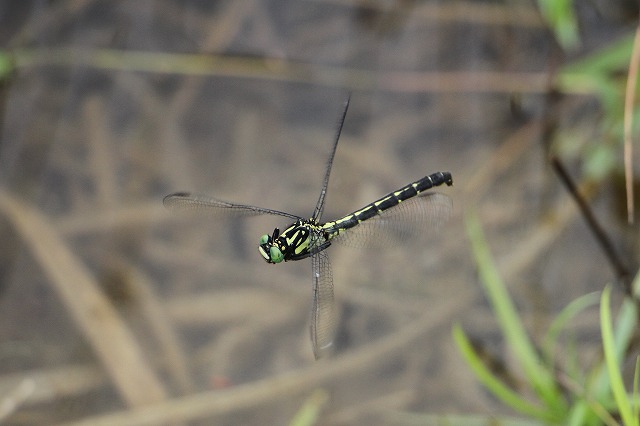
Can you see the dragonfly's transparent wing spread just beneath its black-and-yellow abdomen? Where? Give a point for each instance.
(421, 214)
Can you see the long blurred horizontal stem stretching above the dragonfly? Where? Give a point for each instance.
(276, 69)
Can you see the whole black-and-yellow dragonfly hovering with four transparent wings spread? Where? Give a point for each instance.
(391, 219)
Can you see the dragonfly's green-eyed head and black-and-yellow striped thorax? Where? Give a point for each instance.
(294, 243)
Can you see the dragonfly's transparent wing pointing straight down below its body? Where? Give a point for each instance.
(323, 315)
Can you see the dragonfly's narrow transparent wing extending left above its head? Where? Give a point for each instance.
(203, 204)
